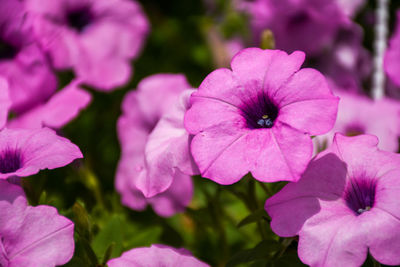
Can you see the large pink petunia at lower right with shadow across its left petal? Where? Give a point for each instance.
(345, 205)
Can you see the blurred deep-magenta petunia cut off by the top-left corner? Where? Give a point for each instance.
(22, 63)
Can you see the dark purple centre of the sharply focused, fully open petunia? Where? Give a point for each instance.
(260, 112)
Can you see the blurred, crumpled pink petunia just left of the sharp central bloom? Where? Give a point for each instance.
(155, 159)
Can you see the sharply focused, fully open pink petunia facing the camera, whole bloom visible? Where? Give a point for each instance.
(259, 117)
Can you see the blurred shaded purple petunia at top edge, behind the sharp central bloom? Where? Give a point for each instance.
(307, 25)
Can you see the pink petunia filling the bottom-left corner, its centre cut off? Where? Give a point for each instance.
(32, 236)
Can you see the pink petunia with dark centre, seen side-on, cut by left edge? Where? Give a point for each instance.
(24, 152)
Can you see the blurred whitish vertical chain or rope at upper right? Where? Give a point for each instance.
(381, 31)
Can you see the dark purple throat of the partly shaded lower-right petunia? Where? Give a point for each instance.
(360, 194)
